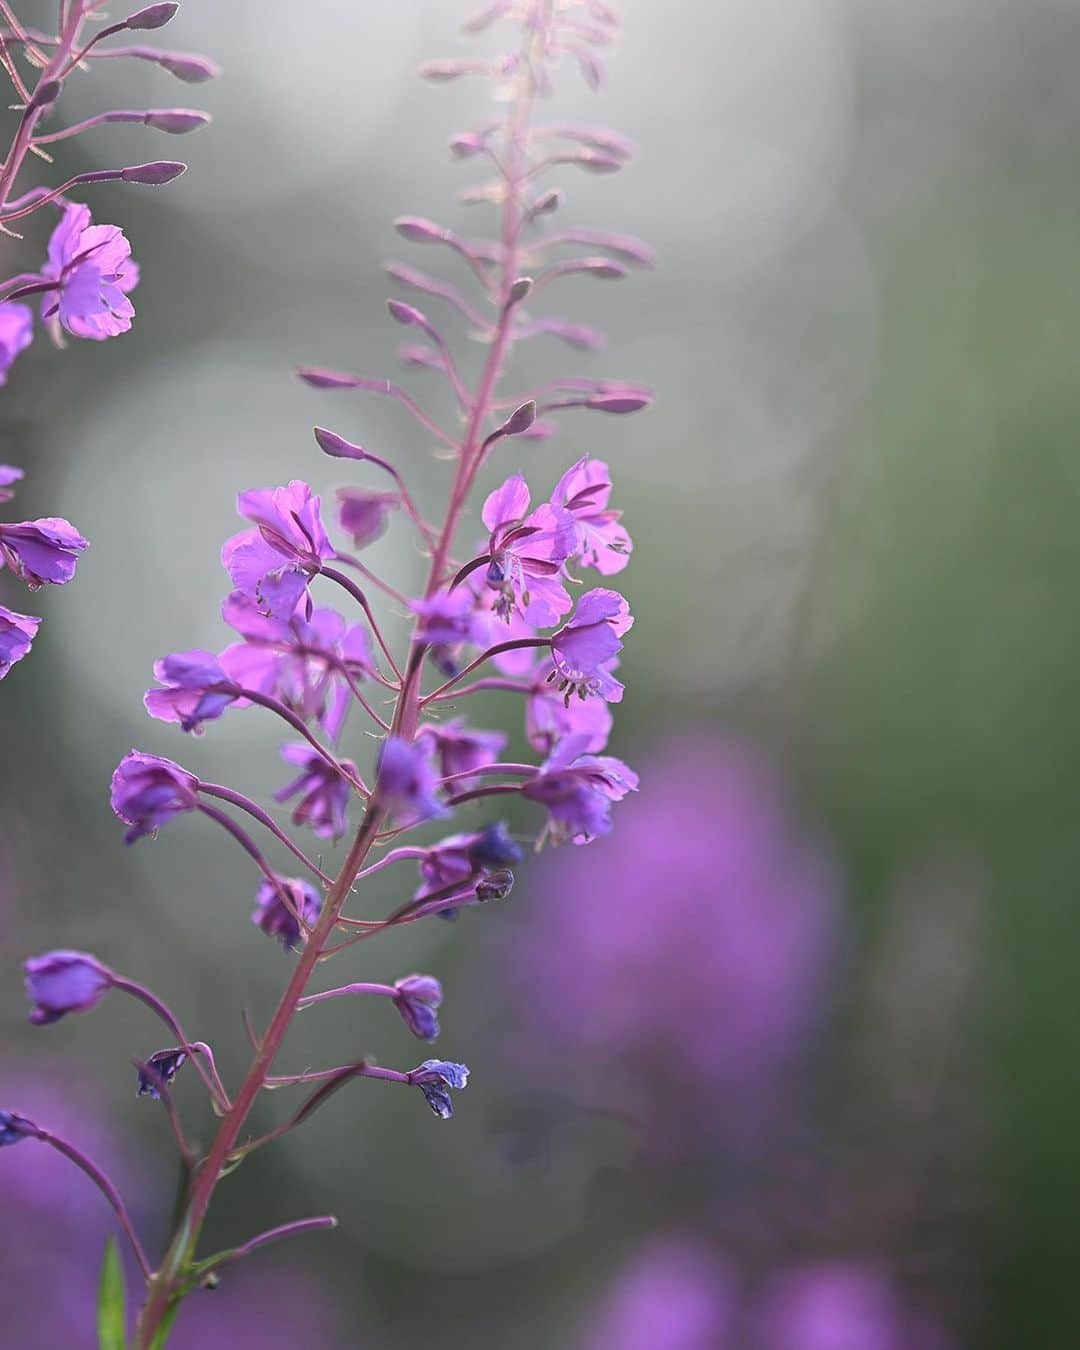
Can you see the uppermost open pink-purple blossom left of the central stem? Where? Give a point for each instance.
(275, 562)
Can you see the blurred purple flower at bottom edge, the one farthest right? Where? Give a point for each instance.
(839, 1306)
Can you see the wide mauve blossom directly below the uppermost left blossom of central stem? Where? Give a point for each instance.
(300, 661)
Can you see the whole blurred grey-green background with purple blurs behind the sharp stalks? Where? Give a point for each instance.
(789, 1062)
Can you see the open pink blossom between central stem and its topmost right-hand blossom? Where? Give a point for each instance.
(527, 554)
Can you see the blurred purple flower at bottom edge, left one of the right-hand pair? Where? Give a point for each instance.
(674, 1295)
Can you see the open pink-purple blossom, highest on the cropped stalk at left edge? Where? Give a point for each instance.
(95, 273)
